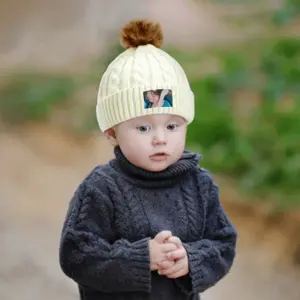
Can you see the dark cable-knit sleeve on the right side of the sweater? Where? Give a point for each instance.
(210, 258)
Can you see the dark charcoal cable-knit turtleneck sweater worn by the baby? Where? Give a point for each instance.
(116, 210)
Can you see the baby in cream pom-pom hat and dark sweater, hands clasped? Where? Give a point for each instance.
(148, 224)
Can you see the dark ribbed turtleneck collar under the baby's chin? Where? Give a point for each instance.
(167, 177)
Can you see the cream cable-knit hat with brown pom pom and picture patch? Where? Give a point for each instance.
(143, 80)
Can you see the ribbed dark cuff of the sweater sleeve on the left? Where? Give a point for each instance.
(139, 265)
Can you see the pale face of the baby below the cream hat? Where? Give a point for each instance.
(152, 142)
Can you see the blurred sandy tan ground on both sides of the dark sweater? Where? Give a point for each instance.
(42, 169)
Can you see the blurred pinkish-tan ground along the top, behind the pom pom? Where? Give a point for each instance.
(58, 35)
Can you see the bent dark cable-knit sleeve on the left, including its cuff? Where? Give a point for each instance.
(88, 252)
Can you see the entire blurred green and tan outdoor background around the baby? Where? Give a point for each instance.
(243, 62)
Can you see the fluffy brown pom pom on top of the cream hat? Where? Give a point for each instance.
(141, 32)
